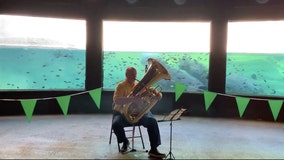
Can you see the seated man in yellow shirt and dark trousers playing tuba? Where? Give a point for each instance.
(120, 98)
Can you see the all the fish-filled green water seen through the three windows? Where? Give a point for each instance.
(64, 69)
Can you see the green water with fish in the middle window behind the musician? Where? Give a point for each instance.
(190, 69)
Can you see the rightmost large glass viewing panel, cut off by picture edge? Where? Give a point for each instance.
(255, 56)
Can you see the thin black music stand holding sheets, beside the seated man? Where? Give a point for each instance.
(174, 115)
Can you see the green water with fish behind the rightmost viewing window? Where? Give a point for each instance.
(255, 74)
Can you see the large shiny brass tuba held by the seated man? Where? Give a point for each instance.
(150, 96)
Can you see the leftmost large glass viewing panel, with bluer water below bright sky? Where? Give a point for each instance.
(38, 53)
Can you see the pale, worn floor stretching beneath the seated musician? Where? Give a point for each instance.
(87, 137)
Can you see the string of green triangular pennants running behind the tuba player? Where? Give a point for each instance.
(63, 101)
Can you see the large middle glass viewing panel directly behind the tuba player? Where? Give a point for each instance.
(181, 47)
